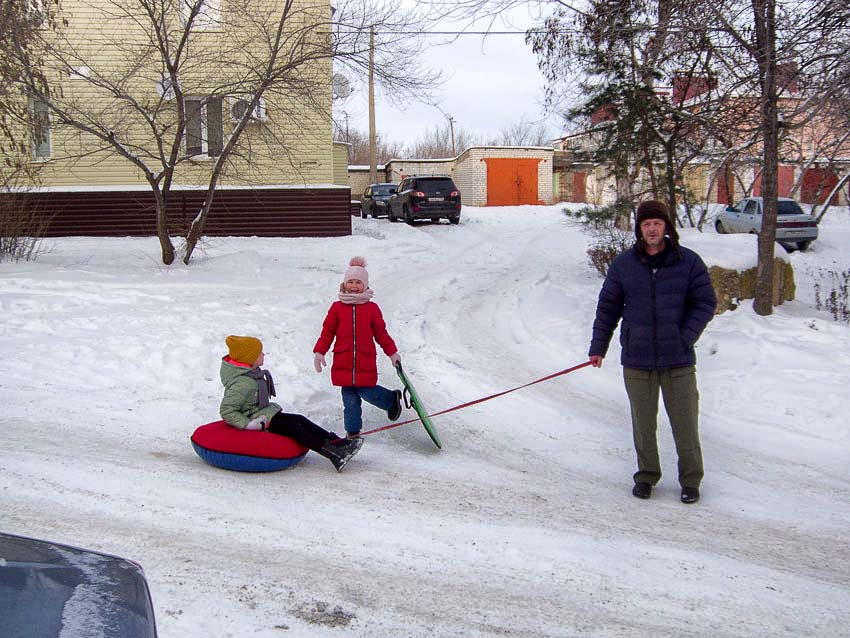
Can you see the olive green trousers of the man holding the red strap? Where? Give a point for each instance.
(681, 400)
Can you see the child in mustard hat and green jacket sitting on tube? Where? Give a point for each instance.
(246, 405)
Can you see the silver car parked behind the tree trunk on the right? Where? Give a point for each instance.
(794, 228)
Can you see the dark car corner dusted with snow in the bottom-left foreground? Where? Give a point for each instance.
(48, 590)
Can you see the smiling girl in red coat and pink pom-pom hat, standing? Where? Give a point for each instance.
(356, 323)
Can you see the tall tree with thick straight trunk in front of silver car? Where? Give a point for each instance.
(761, 39)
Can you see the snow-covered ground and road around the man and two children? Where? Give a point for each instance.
(523, 525)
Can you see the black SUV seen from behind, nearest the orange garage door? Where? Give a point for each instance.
(426, 197)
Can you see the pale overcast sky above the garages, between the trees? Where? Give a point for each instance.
(490, 83)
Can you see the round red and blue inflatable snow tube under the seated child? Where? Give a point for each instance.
(245, 450)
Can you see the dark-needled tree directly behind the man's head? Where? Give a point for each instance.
(636, 74)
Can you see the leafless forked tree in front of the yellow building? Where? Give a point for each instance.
(155, 84)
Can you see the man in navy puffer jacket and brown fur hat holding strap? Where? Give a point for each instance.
(663, 294)
